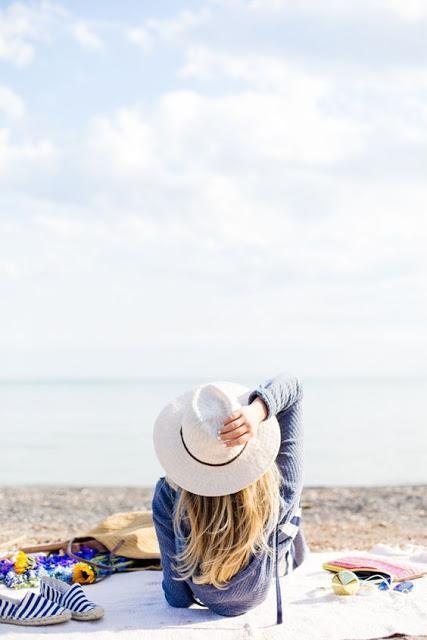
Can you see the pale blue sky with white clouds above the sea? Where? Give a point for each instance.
(215, 188)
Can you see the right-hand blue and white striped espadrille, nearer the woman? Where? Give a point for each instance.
(72, 597)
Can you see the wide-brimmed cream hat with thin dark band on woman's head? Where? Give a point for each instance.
(187, 446)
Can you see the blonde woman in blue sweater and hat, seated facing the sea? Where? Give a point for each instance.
(227, 513)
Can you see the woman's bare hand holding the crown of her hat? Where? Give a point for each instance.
(242, 425)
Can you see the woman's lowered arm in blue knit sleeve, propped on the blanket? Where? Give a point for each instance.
(177, 592)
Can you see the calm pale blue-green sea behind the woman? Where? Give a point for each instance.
(358, 432)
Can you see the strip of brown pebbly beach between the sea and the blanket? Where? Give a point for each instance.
(333, 518)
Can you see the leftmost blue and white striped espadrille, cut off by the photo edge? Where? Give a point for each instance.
(33, 610)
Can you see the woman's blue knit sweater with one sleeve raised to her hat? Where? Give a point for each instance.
(249, 587)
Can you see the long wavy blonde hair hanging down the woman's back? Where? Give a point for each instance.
(225, 530)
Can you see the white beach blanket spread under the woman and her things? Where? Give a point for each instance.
(136, 609)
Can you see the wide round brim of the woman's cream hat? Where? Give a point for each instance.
(259, 454)
